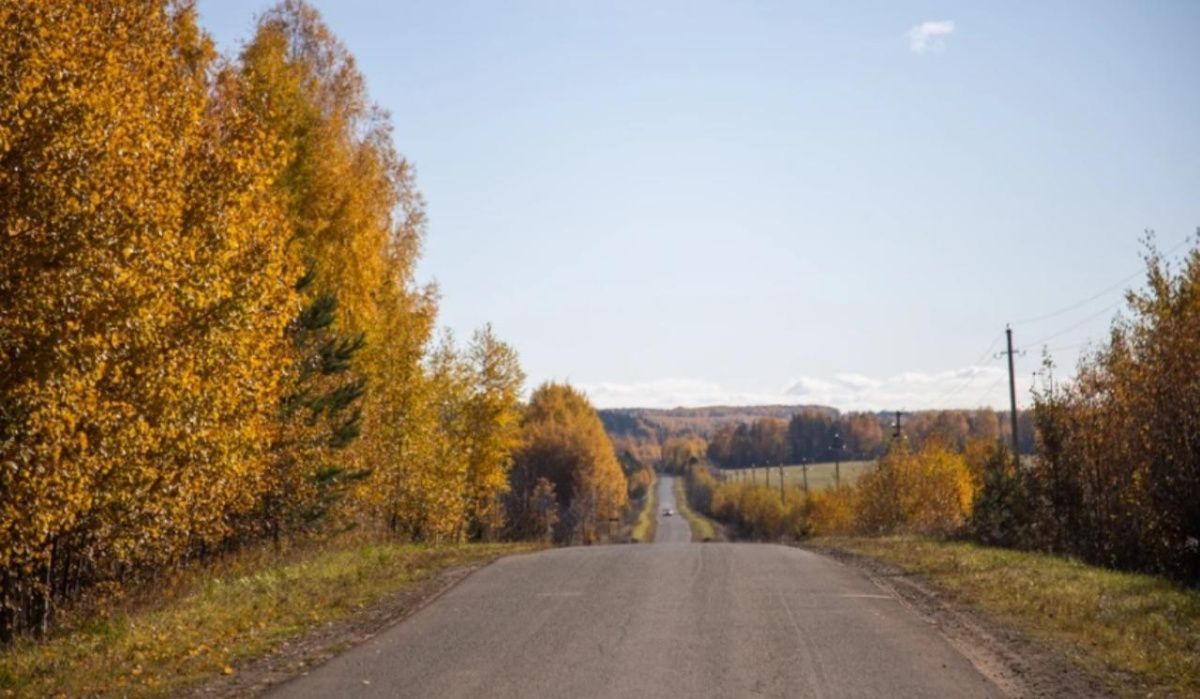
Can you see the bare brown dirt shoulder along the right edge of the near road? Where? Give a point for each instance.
(1017, 665)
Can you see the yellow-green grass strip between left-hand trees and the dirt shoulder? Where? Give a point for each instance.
(221, 619)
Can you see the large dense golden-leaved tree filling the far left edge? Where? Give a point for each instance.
(146, 278)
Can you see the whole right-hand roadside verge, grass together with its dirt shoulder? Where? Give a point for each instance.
(1041, 625)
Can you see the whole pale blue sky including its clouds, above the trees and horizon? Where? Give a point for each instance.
(783, 202)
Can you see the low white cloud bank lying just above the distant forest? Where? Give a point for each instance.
(965, 387)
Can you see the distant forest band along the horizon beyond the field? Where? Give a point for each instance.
(736, 438)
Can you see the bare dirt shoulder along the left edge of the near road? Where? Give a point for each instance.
(301, 655)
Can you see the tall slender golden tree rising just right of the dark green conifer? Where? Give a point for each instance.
(358, 223)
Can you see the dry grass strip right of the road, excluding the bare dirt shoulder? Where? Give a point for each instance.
(1119, 626)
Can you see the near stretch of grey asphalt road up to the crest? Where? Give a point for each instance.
(646, 622)
